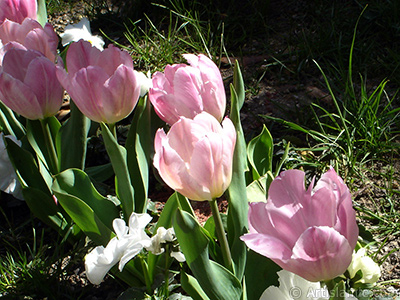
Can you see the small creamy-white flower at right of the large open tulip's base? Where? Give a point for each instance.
(370, 269)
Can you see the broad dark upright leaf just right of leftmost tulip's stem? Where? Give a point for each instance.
(73, 132)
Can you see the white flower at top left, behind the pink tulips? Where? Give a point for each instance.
(81, 31)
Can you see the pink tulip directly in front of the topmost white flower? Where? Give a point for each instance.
(102, 84)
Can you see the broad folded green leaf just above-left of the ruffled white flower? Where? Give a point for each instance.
(75, 184)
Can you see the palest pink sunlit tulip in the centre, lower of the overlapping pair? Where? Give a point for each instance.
(195, 157)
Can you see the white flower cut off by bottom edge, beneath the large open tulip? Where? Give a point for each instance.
(294, 287)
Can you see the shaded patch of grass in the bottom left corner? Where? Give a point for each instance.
(35, 263)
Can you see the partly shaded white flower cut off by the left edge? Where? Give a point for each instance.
(8, 178)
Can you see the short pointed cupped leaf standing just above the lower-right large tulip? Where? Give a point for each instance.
(260, 152)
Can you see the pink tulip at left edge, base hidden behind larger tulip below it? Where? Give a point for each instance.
(29, 35)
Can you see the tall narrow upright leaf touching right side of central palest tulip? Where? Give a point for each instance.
(238, 206)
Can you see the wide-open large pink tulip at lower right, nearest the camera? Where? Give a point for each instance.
(311, 233)
